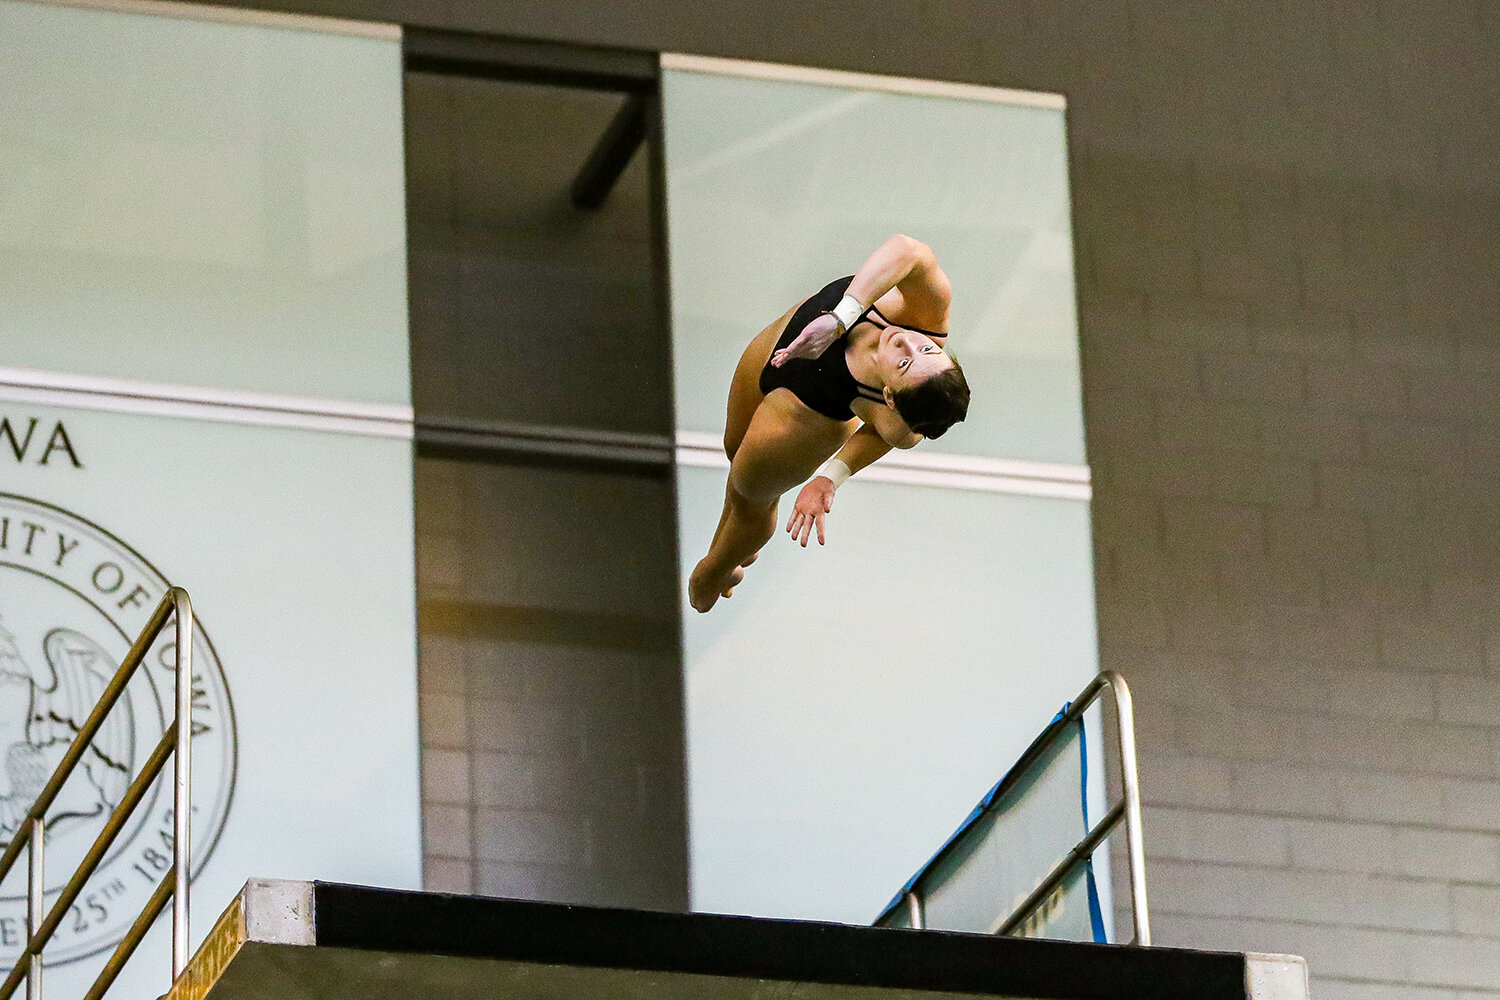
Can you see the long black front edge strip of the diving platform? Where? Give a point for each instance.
(755, 948)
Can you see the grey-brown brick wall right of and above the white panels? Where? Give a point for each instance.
(1288, 221)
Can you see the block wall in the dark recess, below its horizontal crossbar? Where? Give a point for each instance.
(550, 701)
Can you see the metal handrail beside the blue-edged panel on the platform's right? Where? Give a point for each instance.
(1127, 809)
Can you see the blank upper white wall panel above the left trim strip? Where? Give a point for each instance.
(199, 203)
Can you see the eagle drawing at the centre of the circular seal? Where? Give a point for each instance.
(41, 713)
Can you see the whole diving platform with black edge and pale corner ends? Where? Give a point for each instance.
(316, 941)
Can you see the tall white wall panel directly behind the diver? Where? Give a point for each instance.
(850, 704)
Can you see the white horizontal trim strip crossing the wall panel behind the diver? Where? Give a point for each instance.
(950, 472)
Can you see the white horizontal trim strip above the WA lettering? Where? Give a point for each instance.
(191, 403)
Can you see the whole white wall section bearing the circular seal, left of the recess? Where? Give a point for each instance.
(205, 275)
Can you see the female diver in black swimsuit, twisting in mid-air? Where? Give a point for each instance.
(841, 379)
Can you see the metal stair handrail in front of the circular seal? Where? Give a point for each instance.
(176, 743)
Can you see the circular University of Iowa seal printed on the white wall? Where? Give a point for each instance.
(73, 602)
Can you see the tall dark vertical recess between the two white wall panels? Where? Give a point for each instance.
(547, 536)
